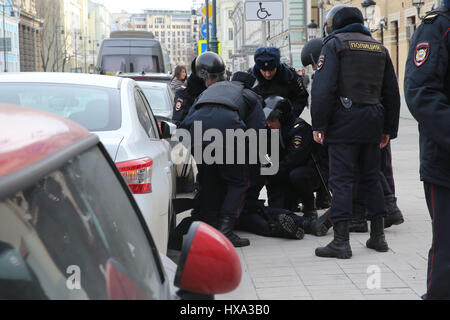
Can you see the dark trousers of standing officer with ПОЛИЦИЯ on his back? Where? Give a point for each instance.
(347, 163)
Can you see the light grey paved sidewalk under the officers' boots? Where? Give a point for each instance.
(288, 269)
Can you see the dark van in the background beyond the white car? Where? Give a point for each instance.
(132, 51)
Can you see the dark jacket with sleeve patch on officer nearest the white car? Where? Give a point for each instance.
(185, 97)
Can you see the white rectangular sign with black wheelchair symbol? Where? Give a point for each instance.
(263, 10)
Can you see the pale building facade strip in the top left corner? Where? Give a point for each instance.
(9, 34)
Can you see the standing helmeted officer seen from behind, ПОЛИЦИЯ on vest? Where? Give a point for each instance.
(355, 109)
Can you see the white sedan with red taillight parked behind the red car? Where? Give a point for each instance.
(117, 111)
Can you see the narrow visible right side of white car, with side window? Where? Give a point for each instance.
(162, 166)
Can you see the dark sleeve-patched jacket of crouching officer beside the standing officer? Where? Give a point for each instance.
(296, 145)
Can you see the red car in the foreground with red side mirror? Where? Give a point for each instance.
(71, 229)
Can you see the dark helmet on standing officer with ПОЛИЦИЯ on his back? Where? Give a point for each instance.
(340, 16)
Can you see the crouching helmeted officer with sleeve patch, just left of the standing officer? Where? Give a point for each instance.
(297, 177)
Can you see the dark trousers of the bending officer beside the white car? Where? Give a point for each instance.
(223, 190)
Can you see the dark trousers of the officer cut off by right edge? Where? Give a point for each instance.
(438, 277)
